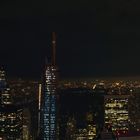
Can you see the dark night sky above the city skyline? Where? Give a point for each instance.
(94, 38)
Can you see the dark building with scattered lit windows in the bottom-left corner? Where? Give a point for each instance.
(11, 123)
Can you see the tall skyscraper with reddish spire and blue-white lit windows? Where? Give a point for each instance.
(48, 99)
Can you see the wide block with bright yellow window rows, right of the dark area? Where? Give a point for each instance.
(117, 112)
